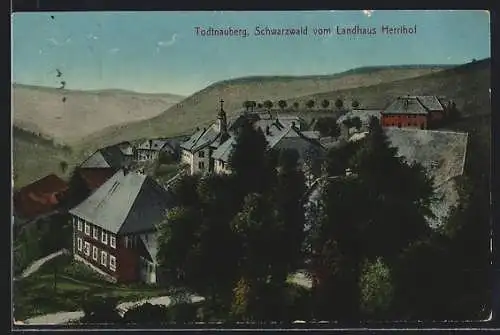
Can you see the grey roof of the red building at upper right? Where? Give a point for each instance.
(414, 105)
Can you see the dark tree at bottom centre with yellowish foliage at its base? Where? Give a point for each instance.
(260, 229)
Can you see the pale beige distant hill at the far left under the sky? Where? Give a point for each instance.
(42, 110)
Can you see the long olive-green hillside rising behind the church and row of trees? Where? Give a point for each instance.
(201, 107)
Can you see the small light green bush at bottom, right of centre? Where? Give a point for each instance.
(377, 291)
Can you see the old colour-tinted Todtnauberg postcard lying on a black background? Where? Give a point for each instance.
(286, 167)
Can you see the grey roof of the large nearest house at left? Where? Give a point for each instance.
(126, 203)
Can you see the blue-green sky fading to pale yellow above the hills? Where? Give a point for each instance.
(159, 52)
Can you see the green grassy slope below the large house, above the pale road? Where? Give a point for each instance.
(37, 294)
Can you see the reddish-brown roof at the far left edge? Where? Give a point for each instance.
(40, 197)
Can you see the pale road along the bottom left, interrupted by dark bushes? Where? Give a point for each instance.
(66, 317)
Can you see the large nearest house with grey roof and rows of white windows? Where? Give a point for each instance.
(115, 227)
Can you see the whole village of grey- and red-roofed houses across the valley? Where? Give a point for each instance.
(125, 190)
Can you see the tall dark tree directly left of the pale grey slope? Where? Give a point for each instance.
(393, 186)
